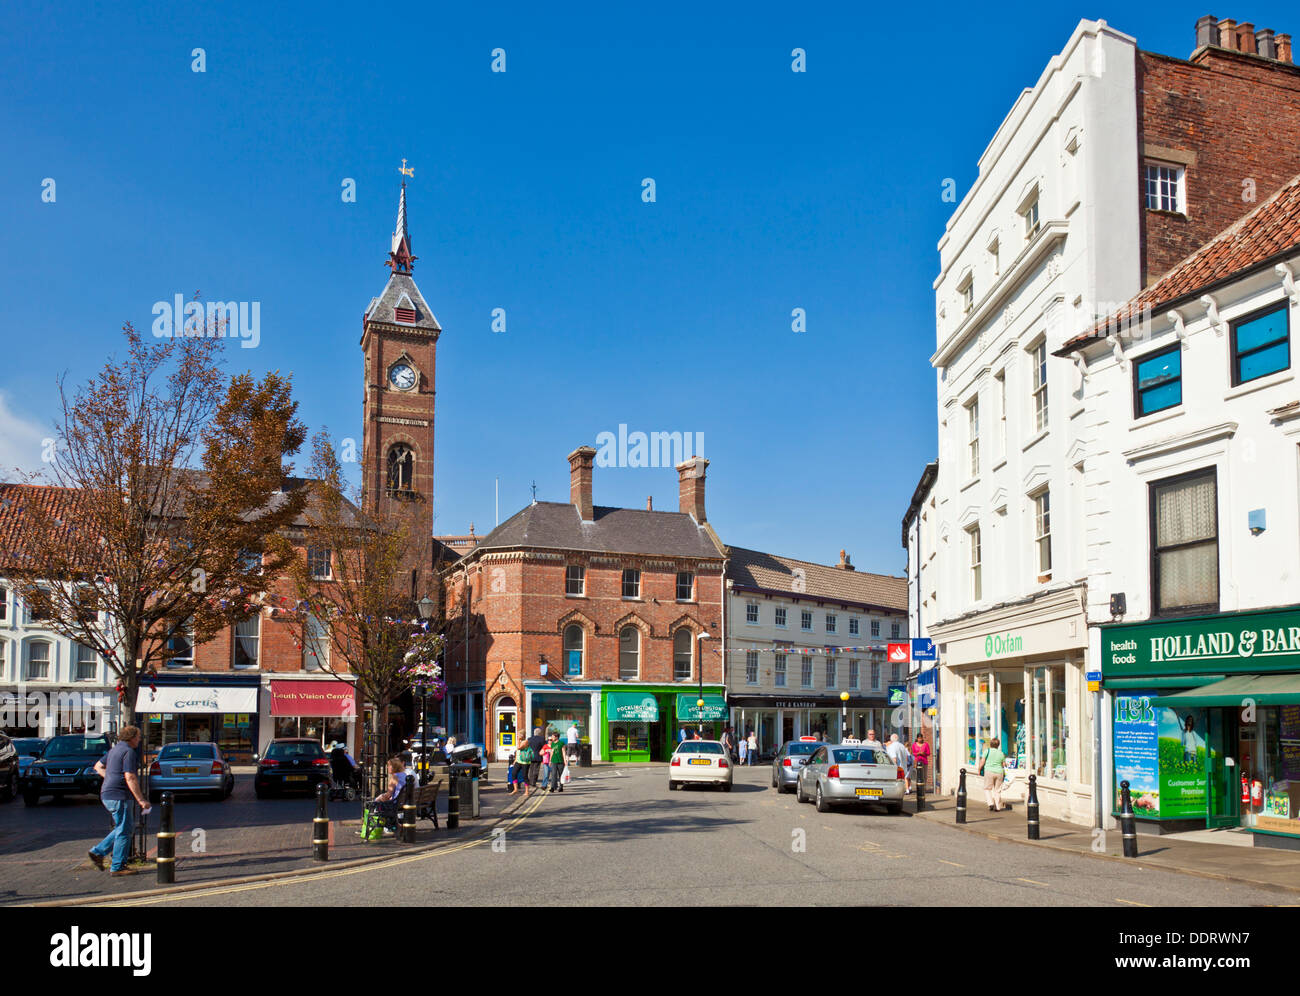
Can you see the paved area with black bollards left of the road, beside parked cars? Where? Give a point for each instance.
(44, 850)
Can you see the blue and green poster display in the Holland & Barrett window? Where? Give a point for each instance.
(1162, 754)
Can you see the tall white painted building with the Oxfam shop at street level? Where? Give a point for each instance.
(1046, 237)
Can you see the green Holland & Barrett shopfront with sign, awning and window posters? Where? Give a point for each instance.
(1206, 721)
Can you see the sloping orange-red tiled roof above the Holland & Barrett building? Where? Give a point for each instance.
(1269, 232)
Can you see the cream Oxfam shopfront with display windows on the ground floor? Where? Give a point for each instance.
(1019, 677)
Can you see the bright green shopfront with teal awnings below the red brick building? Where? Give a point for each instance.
(640, 724)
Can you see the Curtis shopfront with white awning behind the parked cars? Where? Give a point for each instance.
(211, 711)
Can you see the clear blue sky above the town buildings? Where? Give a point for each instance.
(775, 190)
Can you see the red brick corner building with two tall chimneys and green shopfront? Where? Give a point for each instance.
(591, 616)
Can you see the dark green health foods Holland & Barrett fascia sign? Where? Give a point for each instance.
(1255, 643)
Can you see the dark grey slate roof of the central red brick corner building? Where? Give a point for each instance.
(554, 526)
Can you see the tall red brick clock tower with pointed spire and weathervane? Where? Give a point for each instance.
(400, 340)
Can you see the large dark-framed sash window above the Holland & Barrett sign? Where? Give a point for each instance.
(1185, 544)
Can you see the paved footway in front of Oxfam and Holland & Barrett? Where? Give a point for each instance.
(1197, 854)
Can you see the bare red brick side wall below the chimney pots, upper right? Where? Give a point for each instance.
(1233, 118)
